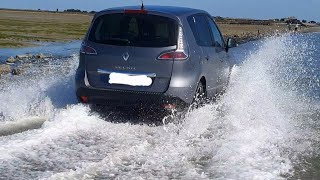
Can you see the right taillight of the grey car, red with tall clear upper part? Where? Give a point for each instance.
(181, 53)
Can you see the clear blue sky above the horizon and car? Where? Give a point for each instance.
(255, 9)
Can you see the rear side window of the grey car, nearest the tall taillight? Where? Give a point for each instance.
(200, 29)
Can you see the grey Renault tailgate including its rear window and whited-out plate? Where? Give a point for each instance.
(129, 44)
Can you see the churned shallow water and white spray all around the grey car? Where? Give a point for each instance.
(266, 125)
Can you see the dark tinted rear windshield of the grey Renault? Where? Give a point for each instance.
(141, 30)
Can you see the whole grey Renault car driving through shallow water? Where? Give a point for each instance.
(153, 56)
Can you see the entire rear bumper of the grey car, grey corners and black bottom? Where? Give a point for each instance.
(178, 94)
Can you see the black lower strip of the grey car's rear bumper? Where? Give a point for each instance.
(126, 98)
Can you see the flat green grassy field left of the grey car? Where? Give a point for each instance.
(23, 28)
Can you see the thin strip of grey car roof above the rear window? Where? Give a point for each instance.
(177, 11)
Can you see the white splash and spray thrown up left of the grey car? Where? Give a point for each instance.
(39, 90)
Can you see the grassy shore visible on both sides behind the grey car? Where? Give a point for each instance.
(25, 28)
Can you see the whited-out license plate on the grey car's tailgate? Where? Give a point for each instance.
(131, 80)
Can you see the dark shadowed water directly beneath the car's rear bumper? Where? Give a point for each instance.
(136, 116)
